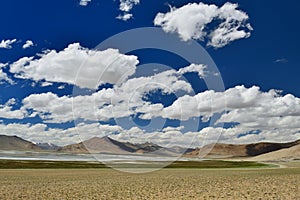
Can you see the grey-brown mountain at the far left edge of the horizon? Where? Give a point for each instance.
(16, 143)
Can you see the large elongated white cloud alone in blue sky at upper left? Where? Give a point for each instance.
(91, 67)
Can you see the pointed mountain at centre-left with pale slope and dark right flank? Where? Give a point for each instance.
(108, 145)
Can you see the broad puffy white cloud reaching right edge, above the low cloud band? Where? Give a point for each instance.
(248, 107)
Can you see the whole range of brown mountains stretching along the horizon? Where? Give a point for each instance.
(257, 151)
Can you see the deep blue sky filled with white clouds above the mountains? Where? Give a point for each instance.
(252, 67)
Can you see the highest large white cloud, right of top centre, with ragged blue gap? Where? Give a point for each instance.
(194, 21)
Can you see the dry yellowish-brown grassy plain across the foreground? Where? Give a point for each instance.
(280, 183)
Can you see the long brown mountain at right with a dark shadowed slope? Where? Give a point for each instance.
(240, 150)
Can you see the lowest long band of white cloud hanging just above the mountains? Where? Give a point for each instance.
(169, 137)
